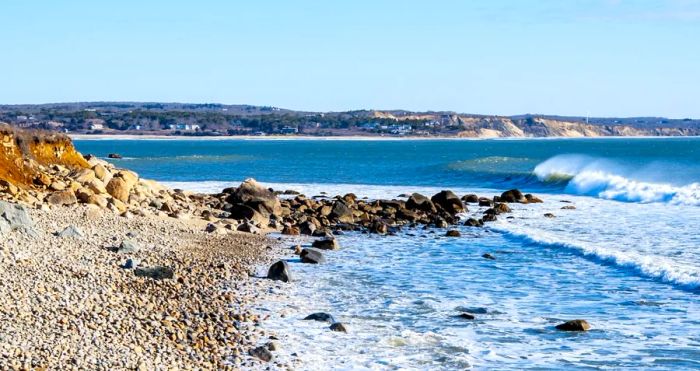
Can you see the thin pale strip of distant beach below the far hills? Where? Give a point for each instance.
(96, 137)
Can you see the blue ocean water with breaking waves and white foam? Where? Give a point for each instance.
(626, 259)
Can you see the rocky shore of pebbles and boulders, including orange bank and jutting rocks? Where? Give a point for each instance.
(102, 269)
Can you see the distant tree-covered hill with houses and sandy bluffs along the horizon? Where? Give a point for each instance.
(220, 119)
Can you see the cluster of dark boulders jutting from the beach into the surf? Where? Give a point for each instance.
(253, 208)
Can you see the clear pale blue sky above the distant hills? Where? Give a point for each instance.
(577, 57)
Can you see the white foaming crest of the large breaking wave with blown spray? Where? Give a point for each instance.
(605, 179)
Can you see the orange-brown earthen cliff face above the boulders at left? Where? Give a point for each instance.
(23, 153)
